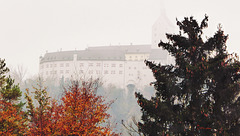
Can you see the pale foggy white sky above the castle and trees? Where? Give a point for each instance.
(29, 28)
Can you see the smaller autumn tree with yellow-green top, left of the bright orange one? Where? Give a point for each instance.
(44, 115)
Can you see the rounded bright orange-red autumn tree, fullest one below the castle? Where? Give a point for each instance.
(84, 113)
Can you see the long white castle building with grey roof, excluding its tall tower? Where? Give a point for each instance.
(114, 65)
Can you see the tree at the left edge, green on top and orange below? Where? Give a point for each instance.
(12, 121)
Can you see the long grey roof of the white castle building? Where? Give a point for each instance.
(115, 53)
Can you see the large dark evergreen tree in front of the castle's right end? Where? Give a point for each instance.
(198, 95)
